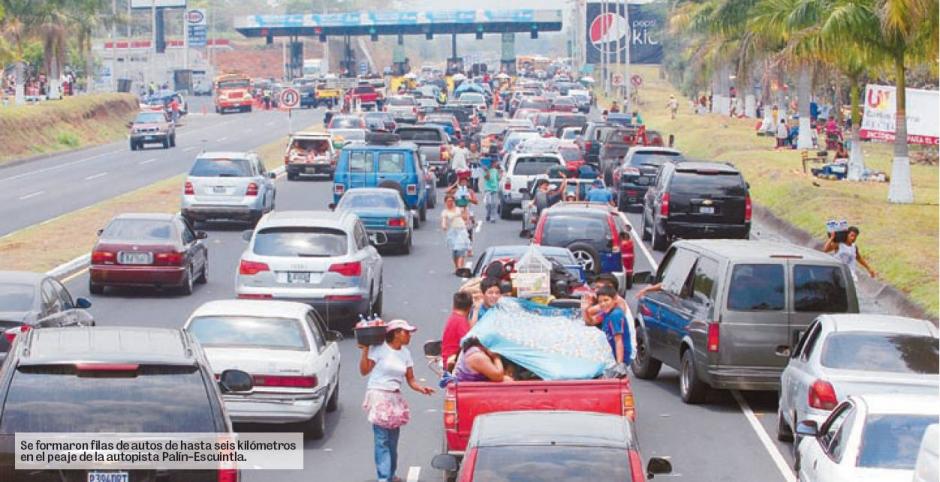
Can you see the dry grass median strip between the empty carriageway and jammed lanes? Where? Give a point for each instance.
(44, 246)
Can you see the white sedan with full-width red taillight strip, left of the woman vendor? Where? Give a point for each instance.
(292, 358)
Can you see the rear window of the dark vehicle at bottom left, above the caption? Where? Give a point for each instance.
(154, 399)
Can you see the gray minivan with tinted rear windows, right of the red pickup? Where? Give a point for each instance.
(724, 312)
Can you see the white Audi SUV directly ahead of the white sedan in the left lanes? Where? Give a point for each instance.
(322, 258)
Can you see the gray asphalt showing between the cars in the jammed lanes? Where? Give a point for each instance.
(717, 441)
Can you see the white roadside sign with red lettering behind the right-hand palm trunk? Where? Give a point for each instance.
(923, 111)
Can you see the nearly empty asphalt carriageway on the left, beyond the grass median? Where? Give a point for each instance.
(35, 191)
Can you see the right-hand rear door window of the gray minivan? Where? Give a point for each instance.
(819, 289)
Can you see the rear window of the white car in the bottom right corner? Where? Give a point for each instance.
(893, 441)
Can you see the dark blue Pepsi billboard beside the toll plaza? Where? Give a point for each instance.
(610, 27)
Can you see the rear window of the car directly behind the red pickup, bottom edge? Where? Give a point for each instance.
(538, 463)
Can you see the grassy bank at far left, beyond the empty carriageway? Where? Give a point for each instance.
(58, 125)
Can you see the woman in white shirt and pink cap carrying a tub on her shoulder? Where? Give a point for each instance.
(389, 366)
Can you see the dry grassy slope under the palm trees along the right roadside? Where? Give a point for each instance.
(899, 241)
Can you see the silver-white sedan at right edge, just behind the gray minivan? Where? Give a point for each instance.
(854, 354)
